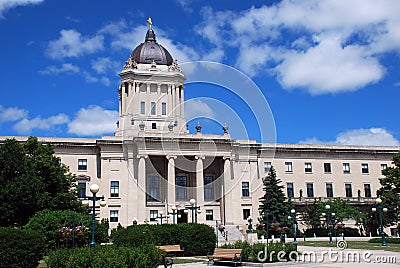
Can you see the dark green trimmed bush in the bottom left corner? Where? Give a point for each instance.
(21, 248)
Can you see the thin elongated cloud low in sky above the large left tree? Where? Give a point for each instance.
(25, 126)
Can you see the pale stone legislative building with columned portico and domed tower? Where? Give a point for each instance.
(153, 166)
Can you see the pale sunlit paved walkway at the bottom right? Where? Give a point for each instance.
(320, 257)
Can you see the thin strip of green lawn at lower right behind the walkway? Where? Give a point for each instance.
(354, 245)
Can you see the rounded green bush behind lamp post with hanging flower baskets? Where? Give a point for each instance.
(49, 222)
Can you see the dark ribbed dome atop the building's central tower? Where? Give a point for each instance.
(150, 51)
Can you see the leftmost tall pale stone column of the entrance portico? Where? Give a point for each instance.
(141, 200)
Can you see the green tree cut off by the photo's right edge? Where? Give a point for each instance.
(390, 191)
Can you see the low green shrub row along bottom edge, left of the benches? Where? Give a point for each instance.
(146, 256)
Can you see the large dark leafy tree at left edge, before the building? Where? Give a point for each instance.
(32, 179)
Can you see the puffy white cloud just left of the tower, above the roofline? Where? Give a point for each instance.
(92, 121)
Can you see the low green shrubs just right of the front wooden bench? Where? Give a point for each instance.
(251, 252)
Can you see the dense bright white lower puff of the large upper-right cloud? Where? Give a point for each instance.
(329, 68)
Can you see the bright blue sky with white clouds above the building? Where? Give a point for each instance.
(328, 69)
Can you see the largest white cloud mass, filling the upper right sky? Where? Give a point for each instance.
(352, 36)
